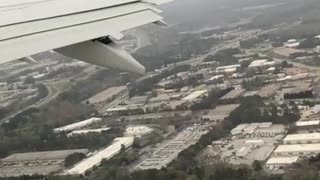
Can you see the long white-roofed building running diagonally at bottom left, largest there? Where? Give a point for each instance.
(84, 166)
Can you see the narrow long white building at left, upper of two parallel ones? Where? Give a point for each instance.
(77, 125)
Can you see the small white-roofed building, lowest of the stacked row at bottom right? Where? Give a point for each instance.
(279, 162)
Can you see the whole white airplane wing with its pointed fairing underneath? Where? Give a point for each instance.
(80, 29)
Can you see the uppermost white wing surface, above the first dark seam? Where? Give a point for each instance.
(31, 11)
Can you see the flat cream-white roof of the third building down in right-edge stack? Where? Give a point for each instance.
(298, 148)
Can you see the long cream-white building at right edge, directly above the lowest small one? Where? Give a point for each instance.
(298, 150)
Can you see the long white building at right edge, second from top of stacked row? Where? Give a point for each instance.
(309, 138)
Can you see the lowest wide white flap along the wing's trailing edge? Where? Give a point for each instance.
(28, 45)
